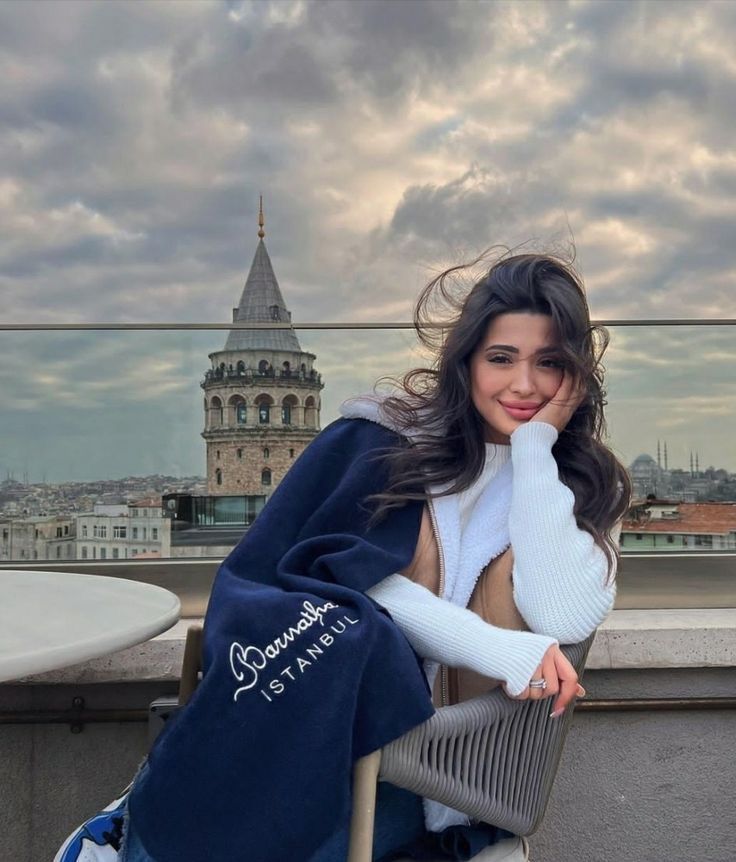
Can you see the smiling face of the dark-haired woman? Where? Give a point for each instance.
(515, 370)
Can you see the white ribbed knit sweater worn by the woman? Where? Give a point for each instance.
(559, 575)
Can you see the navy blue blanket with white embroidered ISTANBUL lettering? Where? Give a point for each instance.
(303, 672)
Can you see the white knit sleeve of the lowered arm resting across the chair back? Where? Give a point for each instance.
(441, 631)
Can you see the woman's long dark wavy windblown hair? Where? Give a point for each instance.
(450, 449)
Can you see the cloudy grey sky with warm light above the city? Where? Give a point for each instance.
(388, 138)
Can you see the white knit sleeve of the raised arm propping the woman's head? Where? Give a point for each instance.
(560, 576)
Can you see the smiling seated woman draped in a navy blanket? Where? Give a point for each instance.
(399, 506)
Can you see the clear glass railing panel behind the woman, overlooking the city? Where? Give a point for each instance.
(103, 462)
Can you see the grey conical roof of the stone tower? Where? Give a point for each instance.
(262, 302)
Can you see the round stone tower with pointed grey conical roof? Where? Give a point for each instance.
(262, 392)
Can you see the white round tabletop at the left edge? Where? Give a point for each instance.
(50, 620)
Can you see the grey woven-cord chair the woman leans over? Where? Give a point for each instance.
(491, 757)
